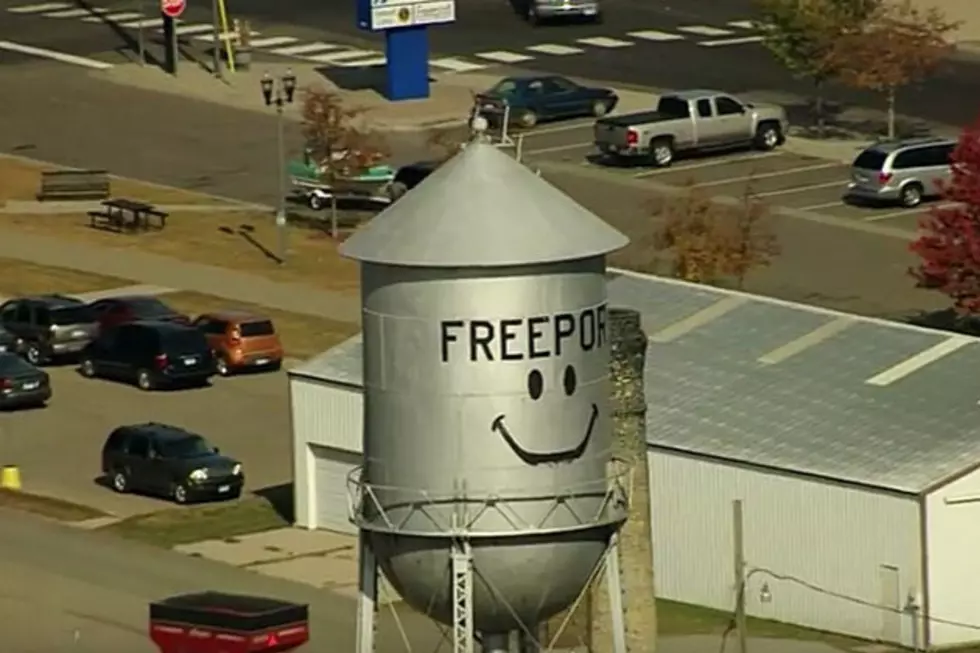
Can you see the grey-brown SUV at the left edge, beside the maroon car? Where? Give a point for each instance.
(49, 326)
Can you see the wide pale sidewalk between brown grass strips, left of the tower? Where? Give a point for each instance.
(151, 269)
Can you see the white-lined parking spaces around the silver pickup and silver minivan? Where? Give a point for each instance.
(781, 178)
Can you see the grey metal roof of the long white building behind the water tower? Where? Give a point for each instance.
(793, 387)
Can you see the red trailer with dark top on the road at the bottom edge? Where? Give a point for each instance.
(214, 622)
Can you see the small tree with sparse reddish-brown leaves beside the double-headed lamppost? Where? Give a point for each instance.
(339, 142)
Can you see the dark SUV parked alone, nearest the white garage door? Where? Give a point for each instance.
(169, 461)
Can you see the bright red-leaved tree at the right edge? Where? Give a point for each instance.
(949, 244)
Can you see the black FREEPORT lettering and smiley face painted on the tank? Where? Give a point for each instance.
(551, 415)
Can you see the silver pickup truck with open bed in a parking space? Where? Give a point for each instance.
(690, 120)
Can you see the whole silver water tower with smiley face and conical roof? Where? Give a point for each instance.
(488, 494)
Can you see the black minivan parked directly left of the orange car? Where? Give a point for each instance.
(151, 354)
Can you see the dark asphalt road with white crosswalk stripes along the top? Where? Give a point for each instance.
(667, 45)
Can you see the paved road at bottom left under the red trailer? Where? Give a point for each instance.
(67, 591)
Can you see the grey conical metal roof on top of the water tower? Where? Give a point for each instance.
(482, 209)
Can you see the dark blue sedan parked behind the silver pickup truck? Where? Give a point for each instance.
(532, 99)
